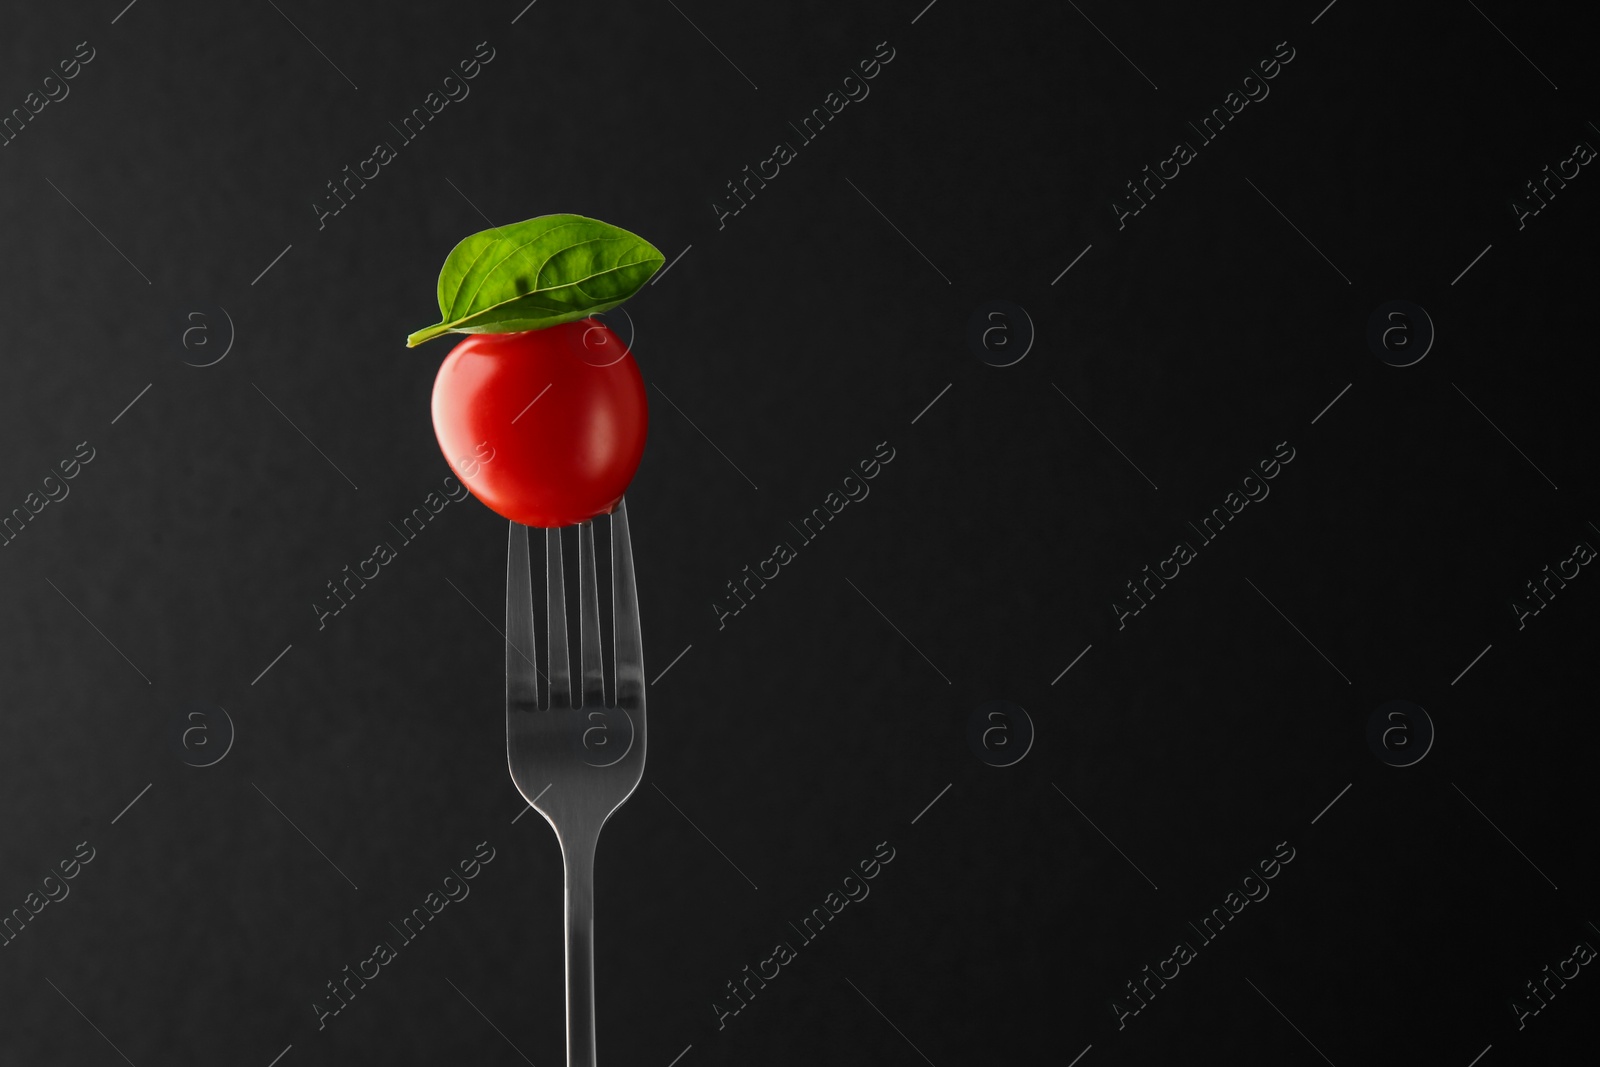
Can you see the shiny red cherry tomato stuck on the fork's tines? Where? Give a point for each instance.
(545, 426)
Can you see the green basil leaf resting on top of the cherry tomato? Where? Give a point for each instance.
(537, 274)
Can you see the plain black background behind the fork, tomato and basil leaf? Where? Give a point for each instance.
(1177, 751)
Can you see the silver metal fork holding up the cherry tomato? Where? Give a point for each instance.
(575, 757)
